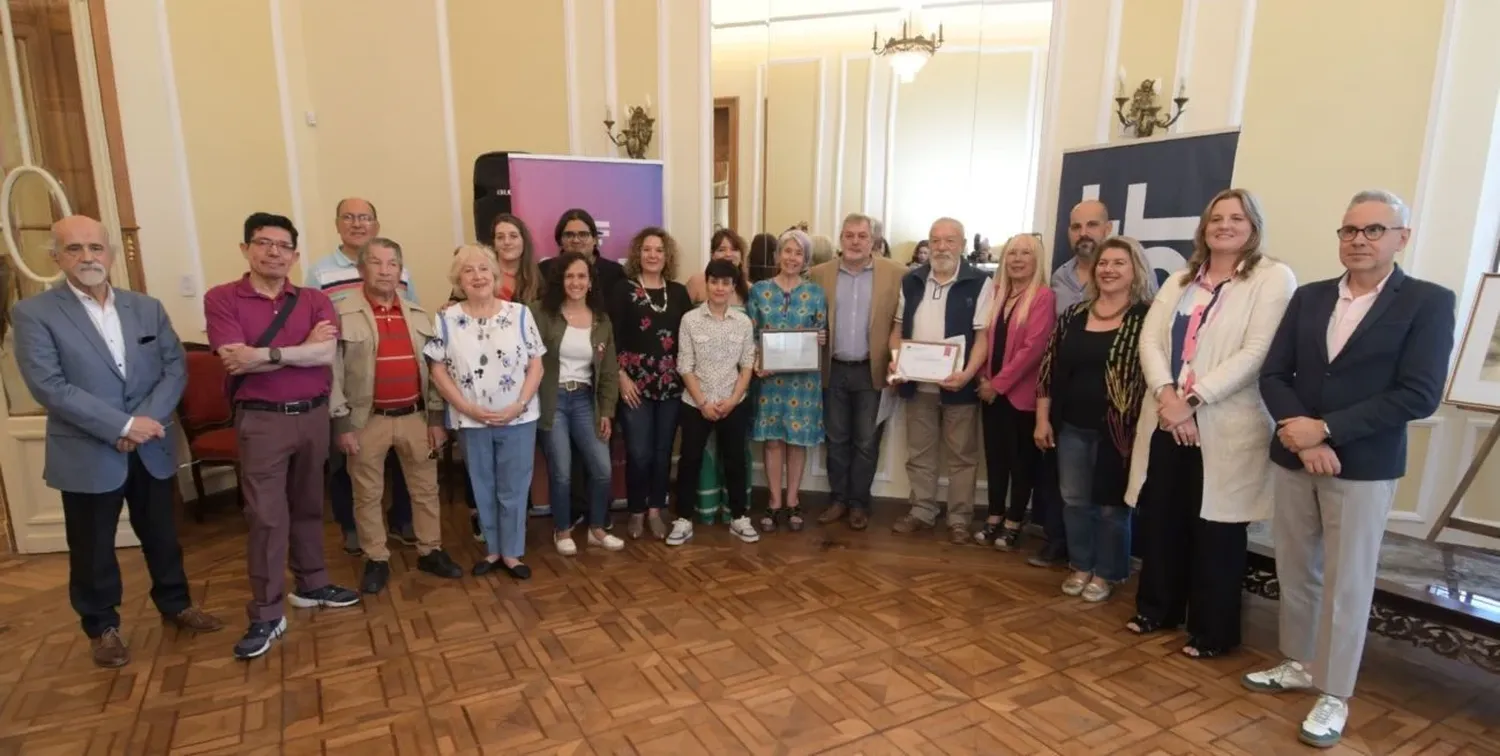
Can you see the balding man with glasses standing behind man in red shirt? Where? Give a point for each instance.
(338, 275)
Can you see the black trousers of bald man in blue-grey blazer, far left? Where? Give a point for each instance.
(94, 574)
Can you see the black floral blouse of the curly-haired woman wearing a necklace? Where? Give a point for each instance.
(646, 340)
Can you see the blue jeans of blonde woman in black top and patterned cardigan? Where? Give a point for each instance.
(1099, 533)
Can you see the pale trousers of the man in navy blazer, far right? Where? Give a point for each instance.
(1328, 536)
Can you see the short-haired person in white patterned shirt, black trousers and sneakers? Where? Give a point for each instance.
(716, 355)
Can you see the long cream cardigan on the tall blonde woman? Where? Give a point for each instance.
(1235, 431)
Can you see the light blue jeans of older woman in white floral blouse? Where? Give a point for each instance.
(499, 463)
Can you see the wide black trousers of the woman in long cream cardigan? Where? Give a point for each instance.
(1192, 569)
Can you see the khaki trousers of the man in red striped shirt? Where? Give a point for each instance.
(409, 437)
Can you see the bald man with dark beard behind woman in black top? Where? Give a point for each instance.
(1088, 226)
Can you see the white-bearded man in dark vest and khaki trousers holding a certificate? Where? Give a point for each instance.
(941, 301)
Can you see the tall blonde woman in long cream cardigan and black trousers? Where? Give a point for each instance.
(1205, 430)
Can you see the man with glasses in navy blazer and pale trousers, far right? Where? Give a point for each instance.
(1354, 362)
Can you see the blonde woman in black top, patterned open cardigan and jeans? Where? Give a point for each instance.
(1090, 392)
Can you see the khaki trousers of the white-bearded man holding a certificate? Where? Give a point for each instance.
(931, 422)
